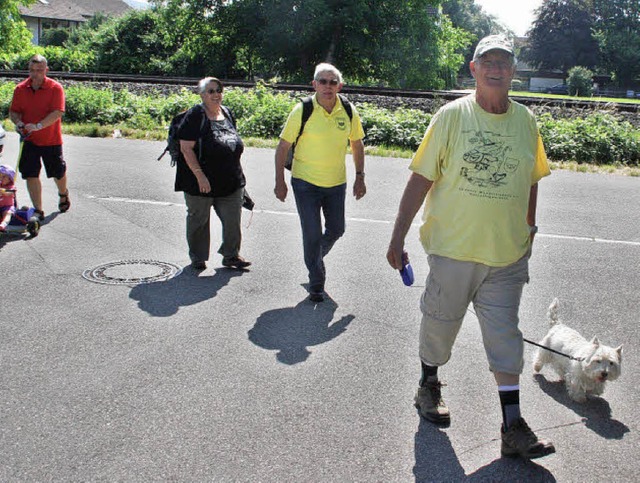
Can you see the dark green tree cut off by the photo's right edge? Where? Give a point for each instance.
(617, 29)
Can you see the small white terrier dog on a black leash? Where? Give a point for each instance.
(595, 365)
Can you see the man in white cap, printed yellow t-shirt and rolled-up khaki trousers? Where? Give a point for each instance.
(477, 172)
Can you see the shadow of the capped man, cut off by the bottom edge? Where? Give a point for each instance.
(437, 461)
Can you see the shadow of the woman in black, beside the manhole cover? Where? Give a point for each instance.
(164, 299)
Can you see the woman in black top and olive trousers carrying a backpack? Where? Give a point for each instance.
(210, 175)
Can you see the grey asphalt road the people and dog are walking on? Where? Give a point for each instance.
(232, 376)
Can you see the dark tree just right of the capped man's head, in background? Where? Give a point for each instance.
(561, 36)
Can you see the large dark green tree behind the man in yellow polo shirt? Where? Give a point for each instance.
(396, 42)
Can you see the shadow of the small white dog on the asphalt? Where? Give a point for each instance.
(596, 412)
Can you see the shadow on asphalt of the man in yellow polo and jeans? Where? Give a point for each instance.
(291, 330)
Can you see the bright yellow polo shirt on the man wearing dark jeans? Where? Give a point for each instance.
(322, 147)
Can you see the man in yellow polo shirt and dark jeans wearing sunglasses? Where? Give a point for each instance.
(318, 175)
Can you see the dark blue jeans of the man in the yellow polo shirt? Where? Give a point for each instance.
(313, 202)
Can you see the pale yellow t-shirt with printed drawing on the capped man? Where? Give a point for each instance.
(482, 166)
